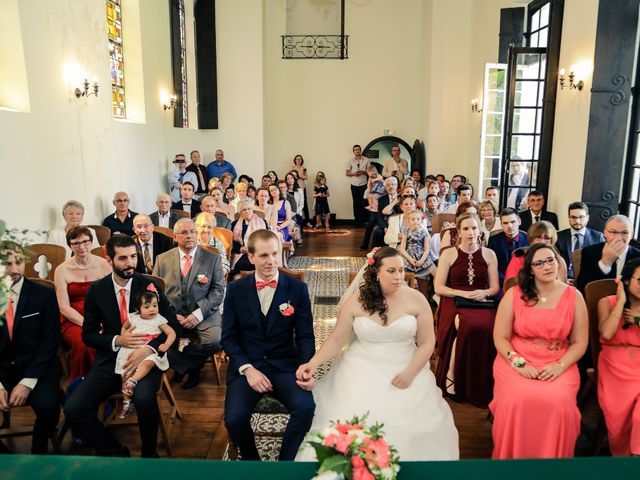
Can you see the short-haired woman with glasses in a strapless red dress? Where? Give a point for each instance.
(73, 279)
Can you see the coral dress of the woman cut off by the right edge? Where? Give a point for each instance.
(619, 388)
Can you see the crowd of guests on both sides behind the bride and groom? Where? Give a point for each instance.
(512, 350)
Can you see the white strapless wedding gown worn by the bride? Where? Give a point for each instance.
(417, 420)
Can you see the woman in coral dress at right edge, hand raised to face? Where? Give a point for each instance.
(619, 363)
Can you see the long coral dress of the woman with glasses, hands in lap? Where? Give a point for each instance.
(535, 418)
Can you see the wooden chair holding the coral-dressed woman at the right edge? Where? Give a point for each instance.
(593, 292)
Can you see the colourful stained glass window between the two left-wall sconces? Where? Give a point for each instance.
(114, 22)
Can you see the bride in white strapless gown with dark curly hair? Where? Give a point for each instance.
(384, 371)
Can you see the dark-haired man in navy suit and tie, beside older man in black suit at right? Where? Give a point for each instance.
(578, 235)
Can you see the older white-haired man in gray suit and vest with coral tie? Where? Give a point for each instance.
(195, 288)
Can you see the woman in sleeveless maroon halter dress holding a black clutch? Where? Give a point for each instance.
(466, 280)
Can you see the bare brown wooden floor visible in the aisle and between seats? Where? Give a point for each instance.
(201, 433)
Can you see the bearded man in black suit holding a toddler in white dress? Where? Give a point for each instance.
(105, 310)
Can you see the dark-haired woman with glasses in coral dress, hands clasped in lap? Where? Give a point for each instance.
(541, 331)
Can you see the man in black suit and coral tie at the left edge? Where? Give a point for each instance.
(29, 340)
